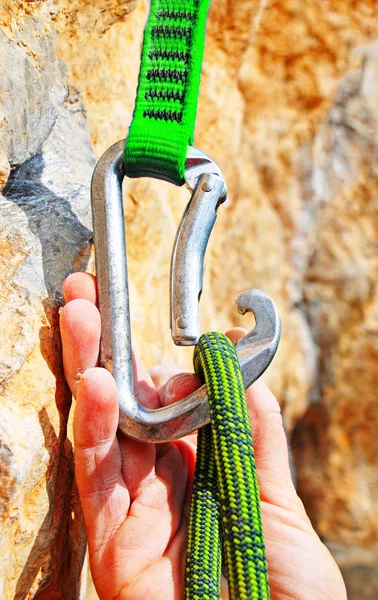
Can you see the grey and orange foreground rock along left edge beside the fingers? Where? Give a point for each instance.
(44, 222)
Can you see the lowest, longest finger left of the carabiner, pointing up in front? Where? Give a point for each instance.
(103, 494)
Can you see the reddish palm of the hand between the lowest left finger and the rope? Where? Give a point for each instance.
(140, 554)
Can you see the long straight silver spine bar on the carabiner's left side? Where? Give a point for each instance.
(111, 266)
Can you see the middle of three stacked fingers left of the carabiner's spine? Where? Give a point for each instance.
(80, 329)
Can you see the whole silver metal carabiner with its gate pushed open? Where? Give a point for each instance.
(255, 351)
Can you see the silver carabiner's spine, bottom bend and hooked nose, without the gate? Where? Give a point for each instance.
(255, 350)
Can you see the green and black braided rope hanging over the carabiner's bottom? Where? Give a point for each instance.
(242, 533)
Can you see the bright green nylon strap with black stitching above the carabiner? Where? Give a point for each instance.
(166, 104)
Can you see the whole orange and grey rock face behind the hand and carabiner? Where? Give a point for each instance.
(288, 108)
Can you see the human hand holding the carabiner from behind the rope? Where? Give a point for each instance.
(136, 496)
